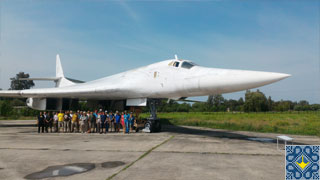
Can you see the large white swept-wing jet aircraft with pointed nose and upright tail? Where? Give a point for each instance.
(173, 79)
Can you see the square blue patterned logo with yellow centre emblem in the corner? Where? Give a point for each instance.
(302, 162)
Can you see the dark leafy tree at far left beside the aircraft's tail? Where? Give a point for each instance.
(16, 84)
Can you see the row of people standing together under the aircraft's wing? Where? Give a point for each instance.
(85, 121)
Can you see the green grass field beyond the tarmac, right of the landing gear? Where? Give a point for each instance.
(304, 123)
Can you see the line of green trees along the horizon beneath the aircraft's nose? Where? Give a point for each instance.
(255, 101)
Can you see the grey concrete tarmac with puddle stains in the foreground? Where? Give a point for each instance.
(176, 153)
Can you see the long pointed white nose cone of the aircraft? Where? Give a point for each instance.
(224, 81)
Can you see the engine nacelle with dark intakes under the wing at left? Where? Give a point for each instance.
(50, 103)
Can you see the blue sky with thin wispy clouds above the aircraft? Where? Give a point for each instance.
(100, 38)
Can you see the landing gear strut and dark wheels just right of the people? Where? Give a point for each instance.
(153, 123)
